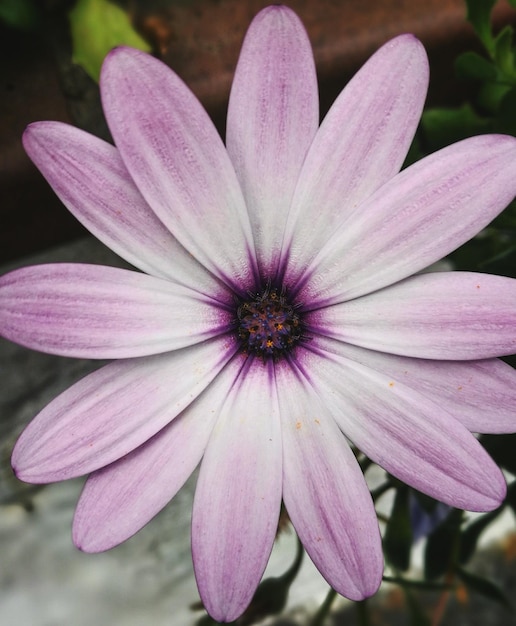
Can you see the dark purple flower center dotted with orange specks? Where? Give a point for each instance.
(268, 325)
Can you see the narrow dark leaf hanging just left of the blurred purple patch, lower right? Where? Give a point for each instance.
(397, 541)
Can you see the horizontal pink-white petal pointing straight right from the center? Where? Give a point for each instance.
(441, 315)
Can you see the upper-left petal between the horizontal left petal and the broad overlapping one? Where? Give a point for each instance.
(91, 180)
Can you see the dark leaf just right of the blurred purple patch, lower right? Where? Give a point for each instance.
(442, 544)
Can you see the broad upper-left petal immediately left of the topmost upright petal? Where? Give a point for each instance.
(179, 163)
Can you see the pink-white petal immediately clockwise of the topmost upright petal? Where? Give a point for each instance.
(361, 144)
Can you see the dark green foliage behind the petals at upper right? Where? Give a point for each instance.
(491, 109)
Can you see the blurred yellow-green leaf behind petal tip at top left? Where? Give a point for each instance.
(97, 26)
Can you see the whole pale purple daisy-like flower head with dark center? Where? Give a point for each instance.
(277, 315)
